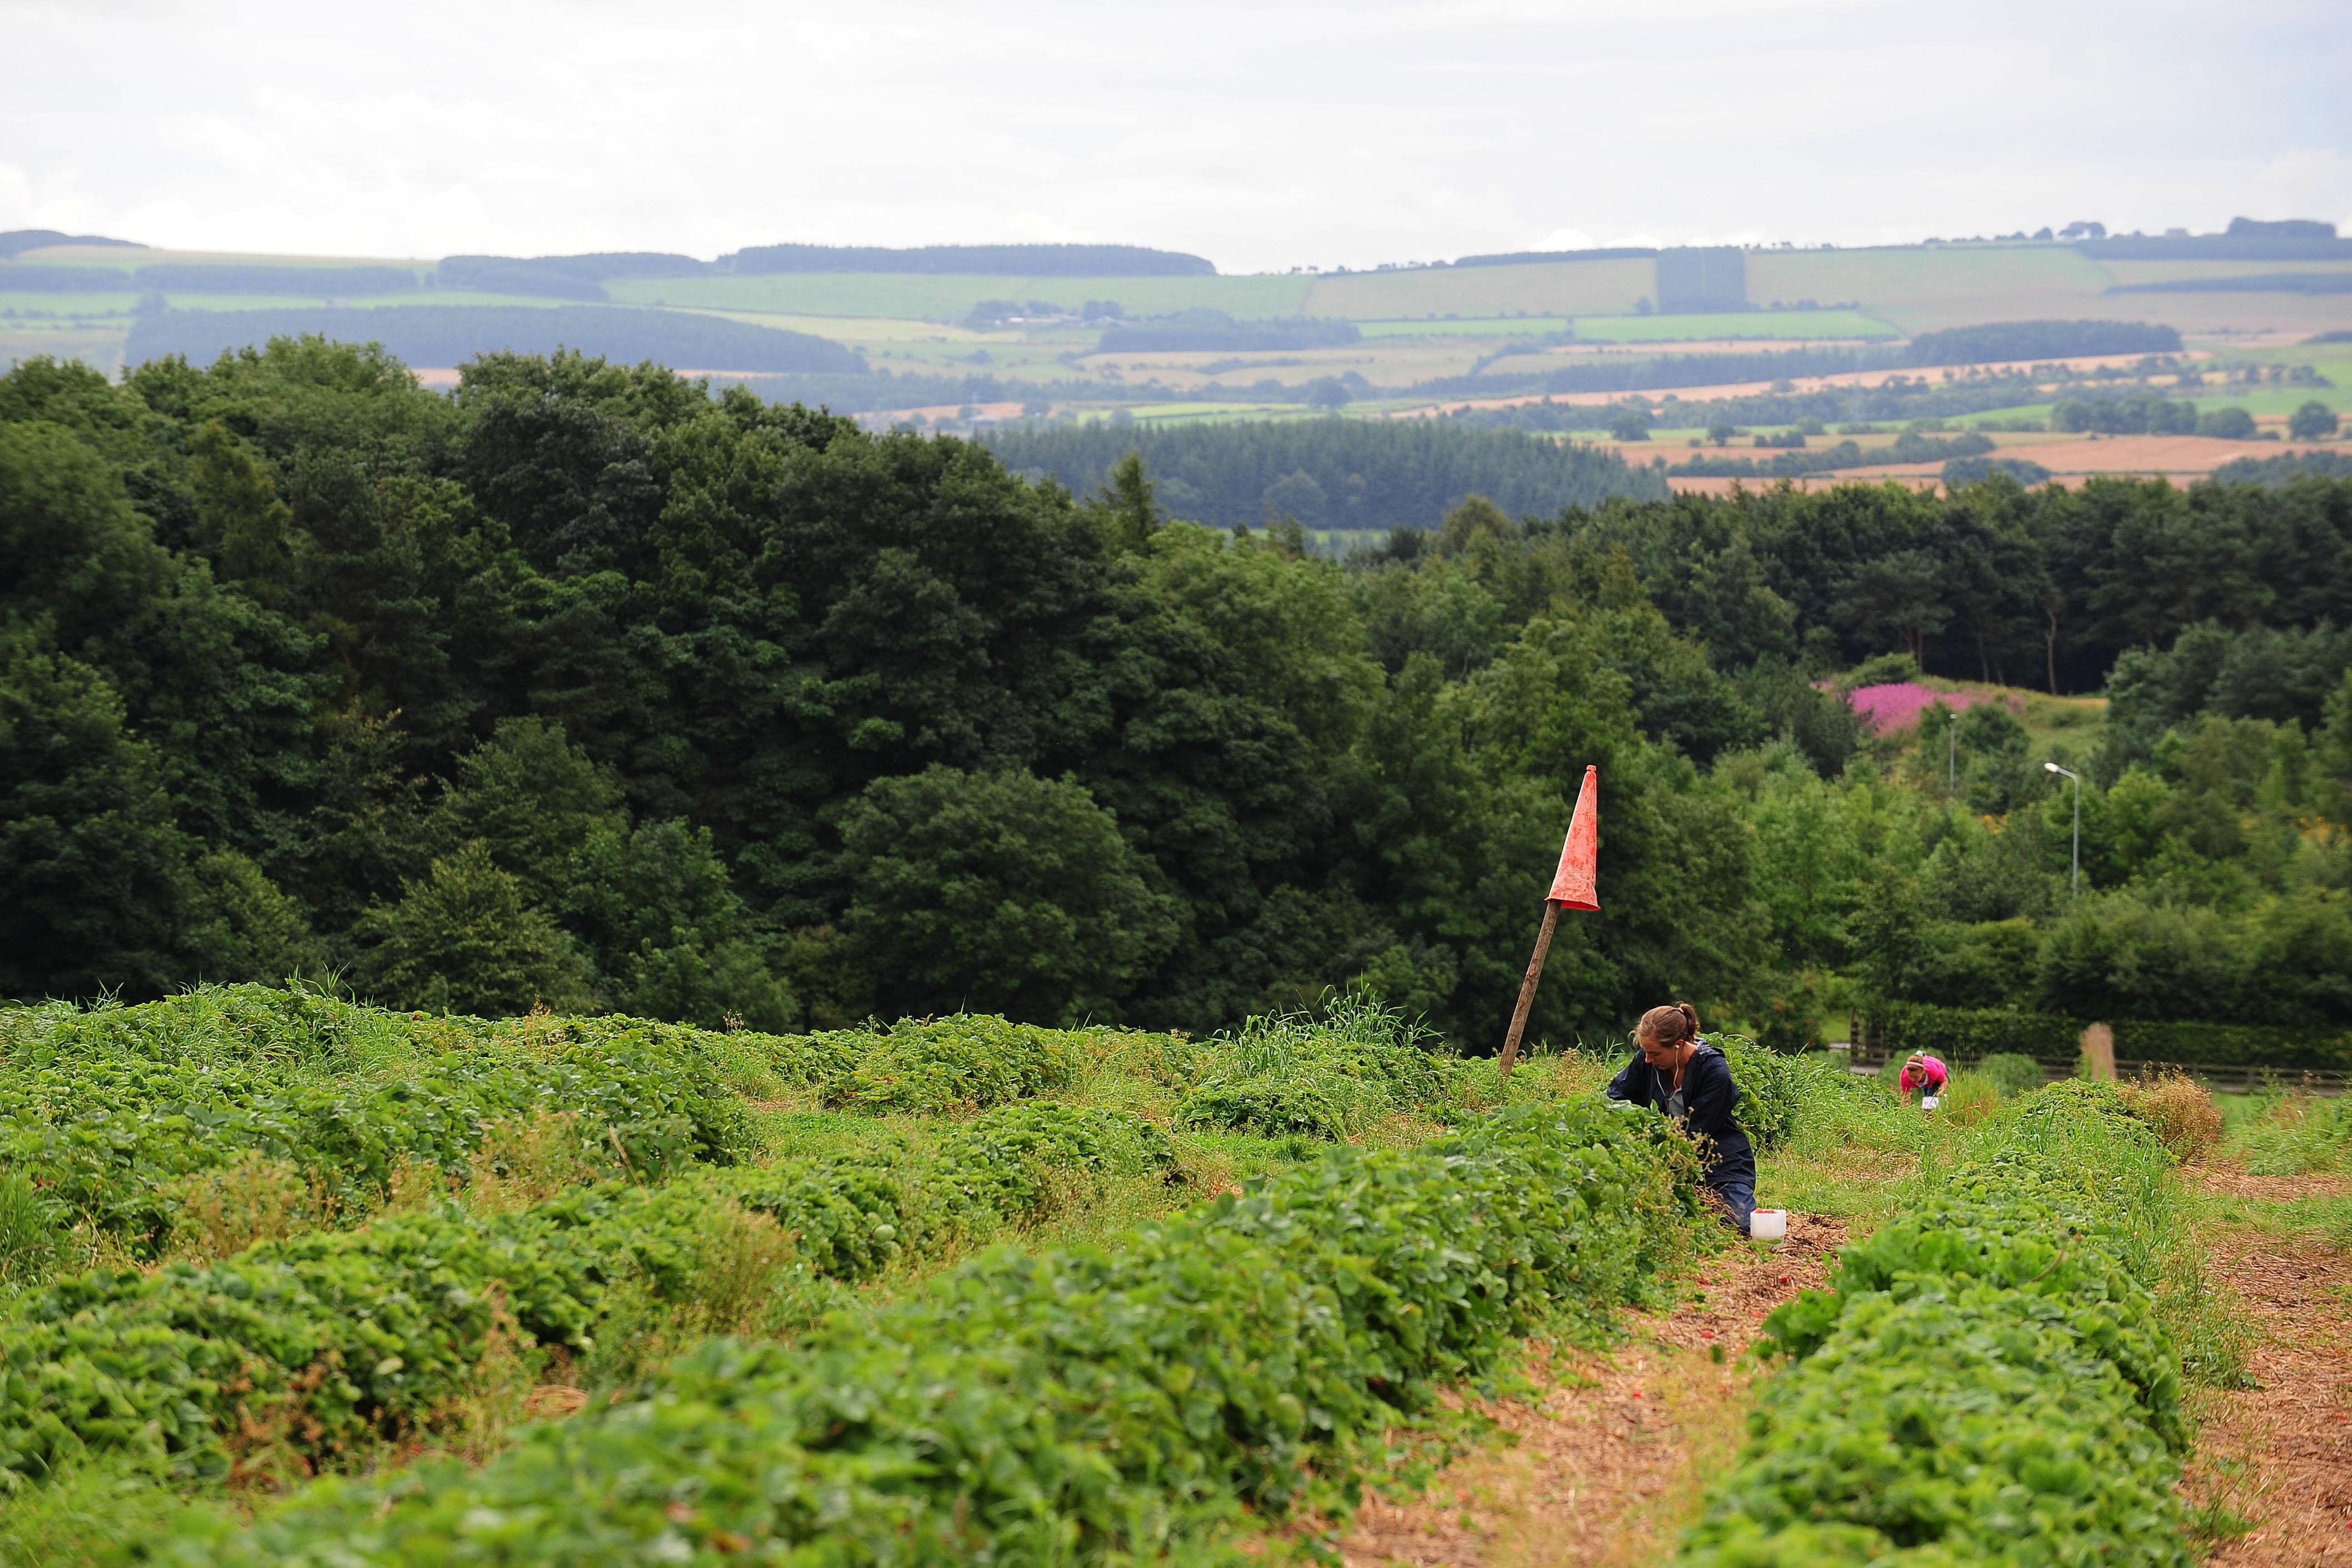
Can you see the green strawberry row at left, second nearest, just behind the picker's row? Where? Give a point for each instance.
(326, 1343)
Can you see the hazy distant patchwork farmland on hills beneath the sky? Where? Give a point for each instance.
(968, 351)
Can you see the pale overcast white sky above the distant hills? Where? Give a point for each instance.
(1259, 135)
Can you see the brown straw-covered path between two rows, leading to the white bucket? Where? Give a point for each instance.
(1610, 1463)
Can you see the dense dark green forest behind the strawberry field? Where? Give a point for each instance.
(594, 690)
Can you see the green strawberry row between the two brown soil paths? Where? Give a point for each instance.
(1986, 1381)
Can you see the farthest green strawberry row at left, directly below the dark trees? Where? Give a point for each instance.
(109, 1108)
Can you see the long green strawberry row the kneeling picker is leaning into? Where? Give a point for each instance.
(1088, 1405)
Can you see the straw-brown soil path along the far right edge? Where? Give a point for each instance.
(2283, 1454)
